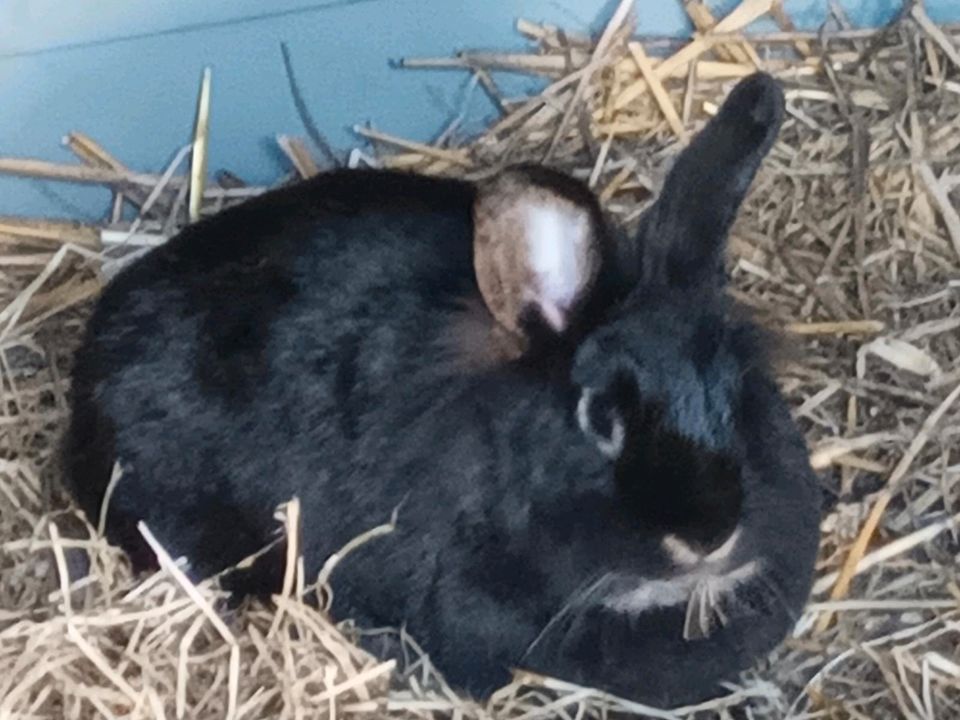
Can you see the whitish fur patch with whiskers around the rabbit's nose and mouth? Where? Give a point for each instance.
(702, 581)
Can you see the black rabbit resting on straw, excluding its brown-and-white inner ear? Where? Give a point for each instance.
(629, 507)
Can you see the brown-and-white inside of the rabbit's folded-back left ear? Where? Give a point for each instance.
(535, 244)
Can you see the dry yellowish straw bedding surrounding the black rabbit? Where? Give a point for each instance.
(850, 240)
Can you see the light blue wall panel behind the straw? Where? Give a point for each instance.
(127, 72)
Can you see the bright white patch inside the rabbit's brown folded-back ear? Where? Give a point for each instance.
(557, 236)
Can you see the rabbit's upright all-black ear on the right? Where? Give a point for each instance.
(682, 237)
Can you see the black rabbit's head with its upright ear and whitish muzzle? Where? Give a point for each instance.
(673, 389)
